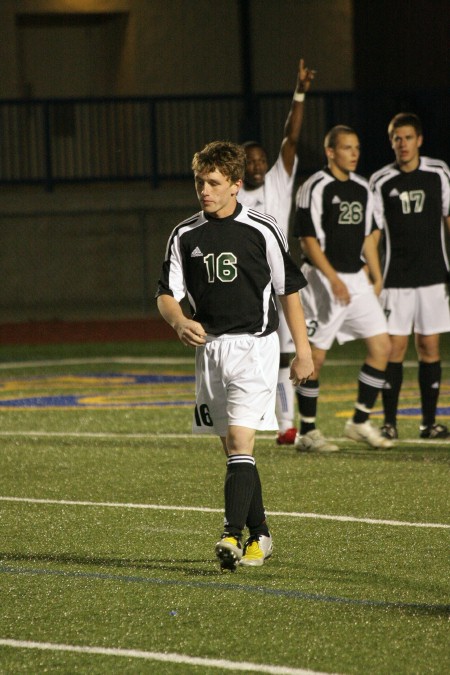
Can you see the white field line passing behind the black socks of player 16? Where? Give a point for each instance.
(206, 509)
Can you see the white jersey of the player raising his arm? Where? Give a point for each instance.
(274, 196)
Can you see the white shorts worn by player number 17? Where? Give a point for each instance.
(424, 310)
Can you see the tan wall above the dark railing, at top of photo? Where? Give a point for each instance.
(51, 48)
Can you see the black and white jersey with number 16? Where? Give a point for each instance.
(229, 269)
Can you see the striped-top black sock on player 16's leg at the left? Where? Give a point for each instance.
(239, 487)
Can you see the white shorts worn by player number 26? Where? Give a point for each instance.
(328, 320)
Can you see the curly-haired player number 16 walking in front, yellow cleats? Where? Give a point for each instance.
(230, 261)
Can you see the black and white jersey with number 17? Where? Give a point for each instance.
(410, 207)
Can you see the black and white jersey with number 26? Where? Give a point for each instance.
(339, 214)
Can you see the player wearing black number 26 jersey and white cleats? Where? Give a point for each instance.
(334, 221)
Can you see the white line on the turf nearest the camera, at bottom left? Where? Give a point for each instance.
(159, 656)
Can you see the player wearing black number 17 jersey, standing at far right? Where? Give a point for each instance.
(412, 206)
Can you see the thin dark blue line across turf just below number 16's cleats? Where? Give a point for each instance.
(278, 592)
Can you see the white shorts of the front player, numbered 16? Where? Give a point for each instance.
(236, 381)
